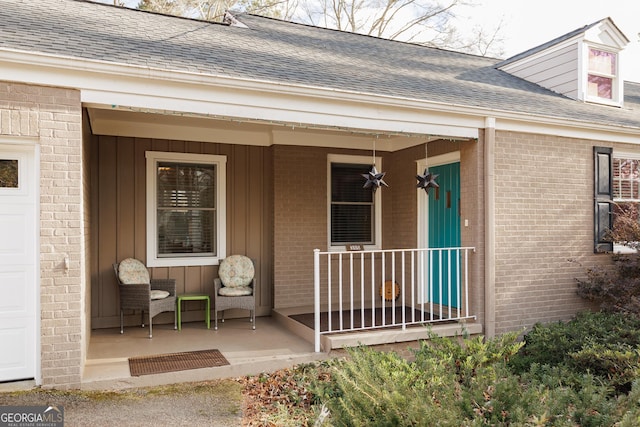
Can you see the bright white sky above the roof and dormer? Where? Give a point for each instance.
(529, 23)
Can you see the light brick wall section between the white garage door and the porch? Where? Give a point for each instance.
(54, 116)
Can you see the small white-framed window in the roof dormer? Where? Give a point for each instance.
(602, 76)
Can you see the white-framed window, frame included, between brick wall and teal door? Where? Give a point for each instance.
(354, 212)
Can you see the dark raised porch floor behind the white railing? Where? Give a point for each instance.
(307, 319)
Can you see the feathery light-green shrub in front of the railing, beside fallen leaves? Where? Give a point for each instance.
(447, 383)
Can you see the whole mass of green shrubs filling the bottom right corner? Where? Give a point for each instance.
(470, 382)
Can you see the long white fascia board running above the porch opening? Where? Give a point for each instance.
(123, 86)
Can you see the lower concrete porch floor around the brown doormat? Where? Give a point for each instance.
(269, 347)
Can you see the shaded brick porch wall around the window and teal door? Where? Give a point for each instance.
(300, 204)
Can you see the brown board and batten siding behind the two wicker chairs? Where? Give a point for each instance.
(118, 223)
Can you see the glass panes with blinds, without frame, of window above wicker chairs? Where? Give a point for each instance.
(186, 209)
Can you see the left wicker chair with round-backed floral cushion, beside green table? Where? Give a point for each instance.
(139, 292)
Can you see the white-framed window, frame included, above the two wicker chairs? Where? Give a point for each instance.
(186, 212)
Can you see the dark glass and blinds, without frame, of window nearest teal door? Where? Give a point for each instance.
(352, 206)
